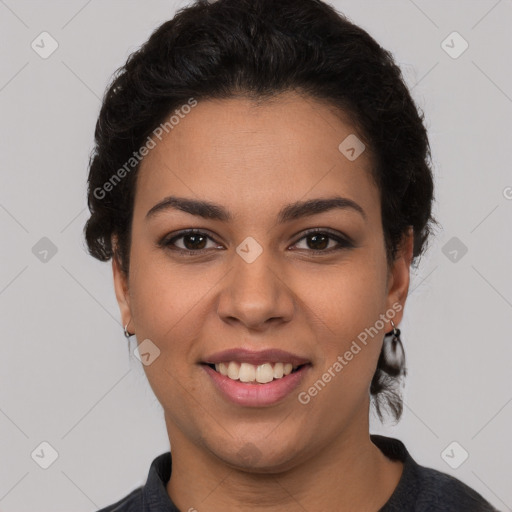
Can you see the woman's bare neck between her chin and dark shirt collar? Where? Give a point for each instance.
(351, 473)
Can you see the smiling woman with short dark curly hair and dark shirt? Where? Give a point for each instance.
(261, 181)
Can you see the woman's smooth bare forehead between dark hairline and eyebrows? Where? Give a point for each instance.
(252, 154)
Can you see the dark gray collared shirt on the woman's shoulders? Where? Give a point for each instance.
(420, 489)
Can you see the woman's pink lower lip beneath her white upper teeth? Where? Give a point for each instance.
(256, 395)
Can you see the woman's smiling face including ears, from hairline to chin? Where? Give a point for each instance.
(255, 280)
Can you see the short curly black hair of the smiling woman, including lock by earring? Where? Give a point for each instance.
(260, 48)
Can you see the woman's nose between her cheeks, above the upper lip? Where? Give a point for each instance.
(257, 294)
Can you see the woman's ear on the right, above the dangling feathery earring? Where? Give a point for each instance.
(399, 276)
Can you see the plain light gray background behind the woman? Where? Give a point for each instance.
(65, 374)
